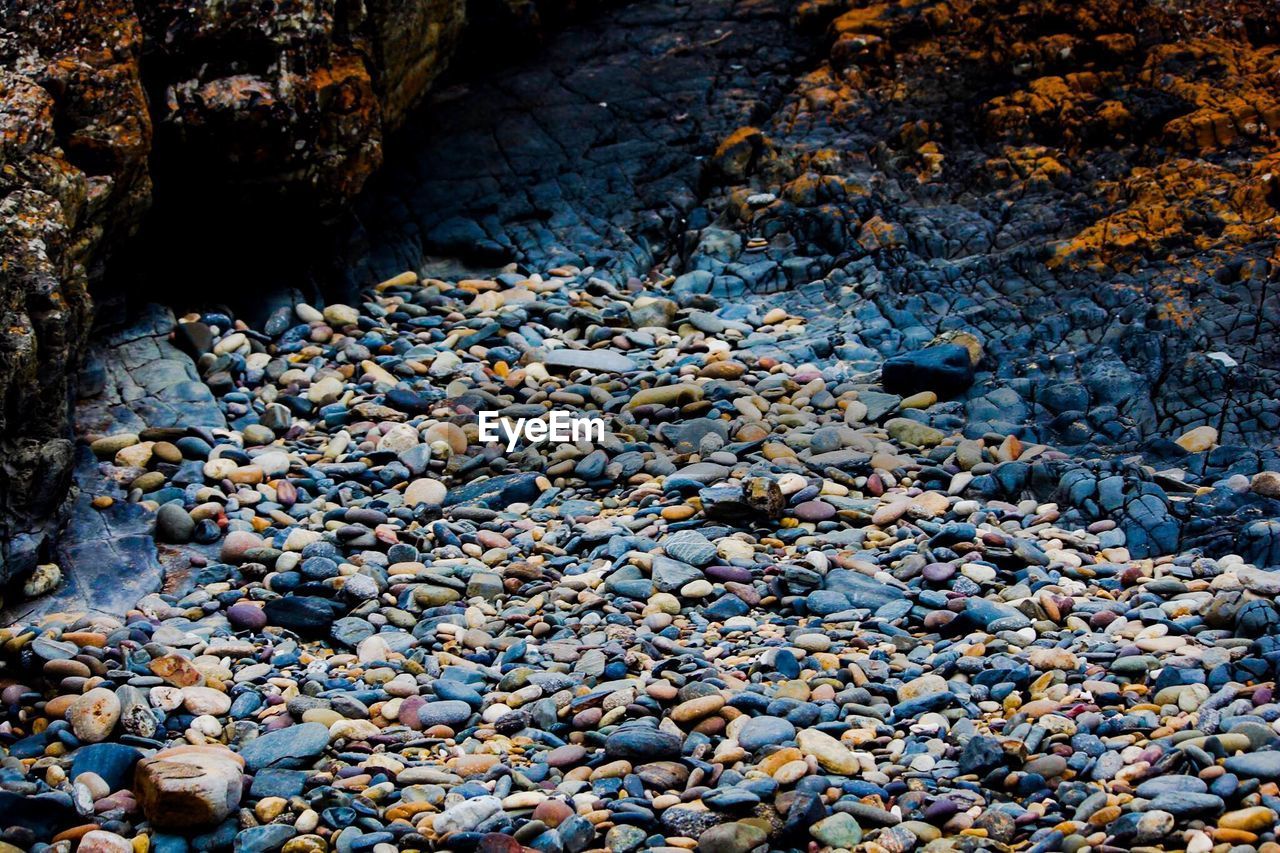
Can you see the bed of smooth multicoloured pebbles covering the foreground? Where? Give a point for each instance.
(779, 606)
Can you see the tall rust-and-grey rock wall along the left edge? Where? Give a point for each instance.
(75, 136)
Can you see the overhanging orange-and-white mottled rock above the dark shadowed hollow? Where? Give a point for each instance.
(289, 98)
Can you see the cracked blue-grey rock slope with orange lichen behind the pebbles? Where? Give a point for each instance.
(1084, 191)
